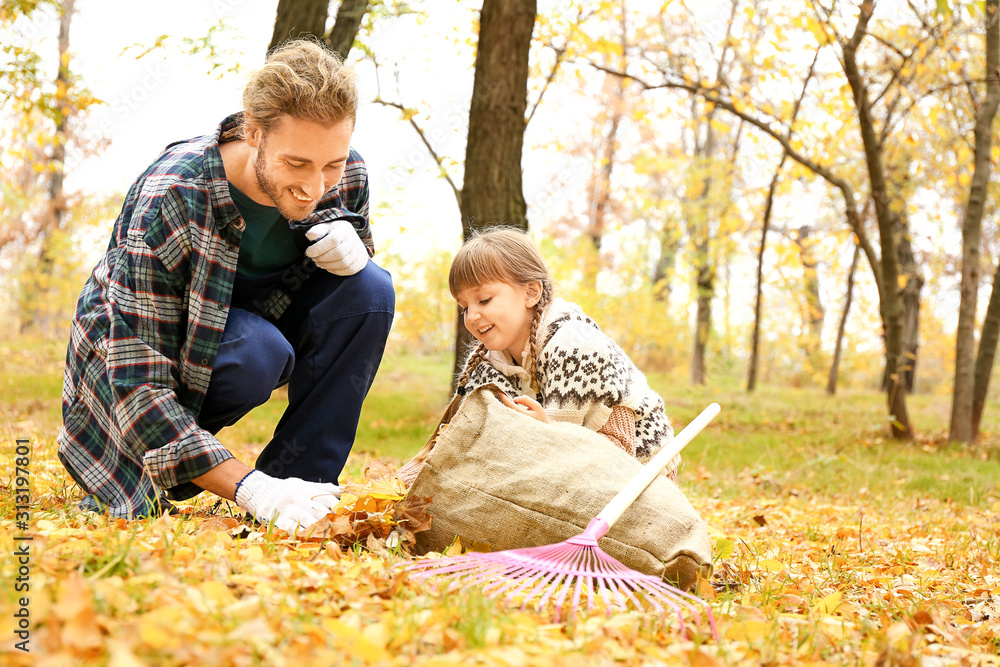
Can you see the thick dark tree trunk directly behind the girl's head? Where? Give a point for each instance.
(492, 189)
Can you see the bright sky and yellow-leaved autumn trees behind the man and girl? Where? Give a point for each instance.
(705, 177)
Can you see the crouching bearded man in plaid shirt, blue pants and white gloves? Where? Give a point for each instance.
(239, 263)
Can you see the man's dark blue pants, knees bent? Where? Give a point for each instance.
(326, 348)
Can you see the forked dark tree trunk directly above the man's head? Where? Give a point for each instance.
(301, 18)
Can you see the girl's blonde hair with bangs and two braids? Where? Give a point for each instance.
(502, 255)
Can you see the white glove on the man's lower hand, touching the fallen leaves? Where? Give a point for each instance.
(286, 503)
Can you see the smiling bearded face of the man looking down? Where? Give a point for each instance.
(298, 161)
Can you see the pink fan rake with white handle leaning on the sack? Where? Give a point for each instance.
(578, 565)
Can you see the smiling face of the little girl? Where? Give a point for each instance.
(499, 314)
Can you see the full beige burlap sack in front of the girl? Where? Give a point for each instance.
(501, 478)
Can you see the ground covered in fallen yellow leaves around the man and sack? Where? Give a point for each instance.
(804, 575)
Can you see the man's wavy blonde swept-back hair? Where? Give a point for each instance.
(304, 80)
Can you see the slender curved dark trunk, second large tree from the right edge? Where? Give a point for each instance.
(890, 304)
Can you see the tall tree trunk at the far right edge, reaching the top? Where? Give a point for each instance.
(964, 416)
